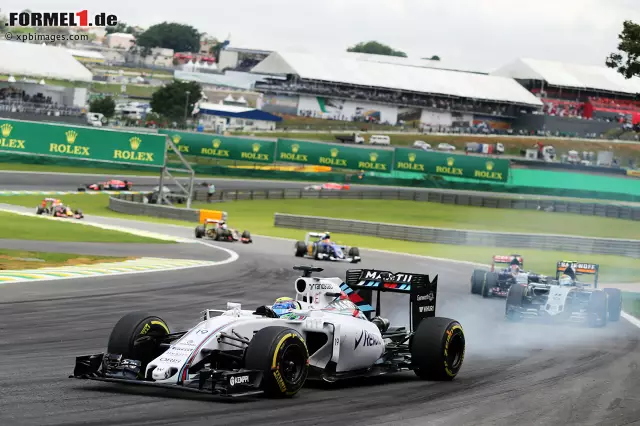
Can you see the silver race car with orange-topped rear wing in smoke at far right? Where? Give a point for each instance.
(566, 299)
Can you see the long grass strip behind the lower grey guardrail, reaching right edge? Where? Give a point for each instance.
(260, 213)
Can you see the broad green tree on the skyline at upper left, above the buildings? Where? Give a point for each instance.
(170, 35)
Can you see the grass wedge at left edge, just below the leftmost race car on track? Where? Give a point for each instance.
(14, 226)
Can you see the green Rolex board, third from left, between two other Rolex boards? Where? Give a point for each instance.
(336, 156)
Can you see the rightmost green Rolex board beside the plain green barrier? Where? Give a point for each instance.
(443, 164)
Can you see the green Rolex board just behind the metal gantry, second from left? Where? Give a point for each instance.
(223, 147)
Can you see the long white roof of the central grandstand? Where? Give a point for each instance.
(350, 70)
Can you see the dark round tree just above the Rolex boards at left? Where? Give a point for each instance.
(170, 100)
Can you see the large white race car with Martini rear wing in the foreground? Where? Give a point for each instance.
(330, 332)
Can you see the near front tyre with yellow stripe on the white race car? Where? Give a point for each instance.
(282, 356)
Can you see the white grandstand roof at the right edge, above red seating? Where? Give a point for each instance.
(572, 76)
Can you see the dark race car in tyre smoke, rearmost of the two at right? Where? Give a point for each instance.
(498, 281)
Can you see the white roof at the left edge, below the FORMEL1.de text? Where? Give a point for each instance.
(37, 60)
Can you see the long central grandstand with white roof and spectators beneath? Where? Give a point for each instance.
(356, 88)
